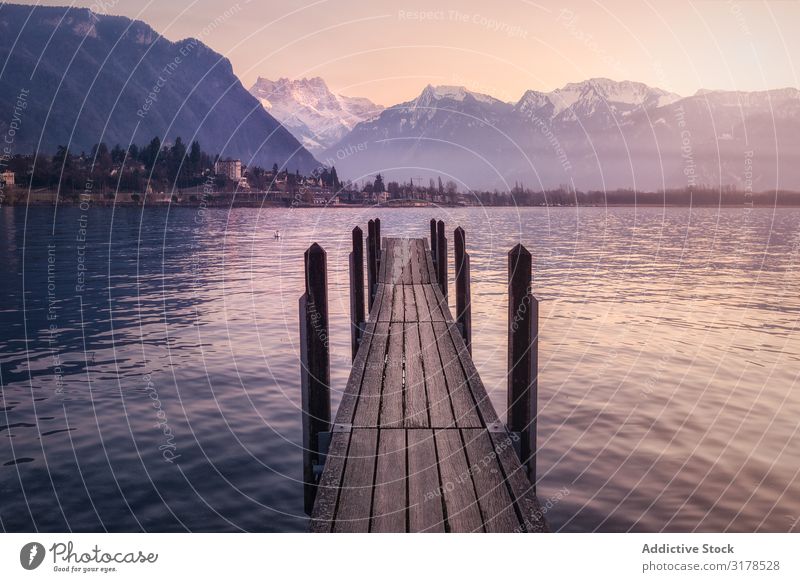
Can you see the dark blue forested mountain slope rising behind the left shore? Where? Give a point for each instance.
(92, 78)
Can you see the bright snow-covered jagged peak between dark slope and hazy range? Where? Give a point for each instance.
(307, 108)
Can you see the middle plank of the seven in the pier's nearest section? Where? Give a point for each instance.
(425, 512)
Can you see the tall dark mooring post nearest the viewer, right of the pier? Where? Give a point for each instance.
(523, 355)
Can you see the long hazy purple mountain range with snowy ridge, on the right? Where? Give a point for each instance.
(595, 134)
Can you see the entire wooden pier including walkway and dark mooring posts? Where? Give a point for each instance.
(416, 445)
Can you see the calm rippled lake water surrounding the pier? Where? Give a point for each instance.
(669, 362)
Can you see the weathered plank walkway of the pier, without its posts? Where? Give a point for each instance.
(416, 445)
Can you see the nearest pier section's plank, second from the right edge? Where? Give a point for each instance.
(497, 507)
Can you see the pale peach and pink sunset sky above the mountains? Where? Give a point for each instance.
(388, 51)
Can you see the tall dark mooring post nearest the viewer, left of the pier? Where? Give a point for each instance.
(315, 368)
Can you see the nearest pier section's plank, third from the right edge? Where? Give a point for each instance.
(461, 503)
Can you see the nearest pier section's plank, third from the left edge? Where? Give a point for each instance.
(390, 503)
